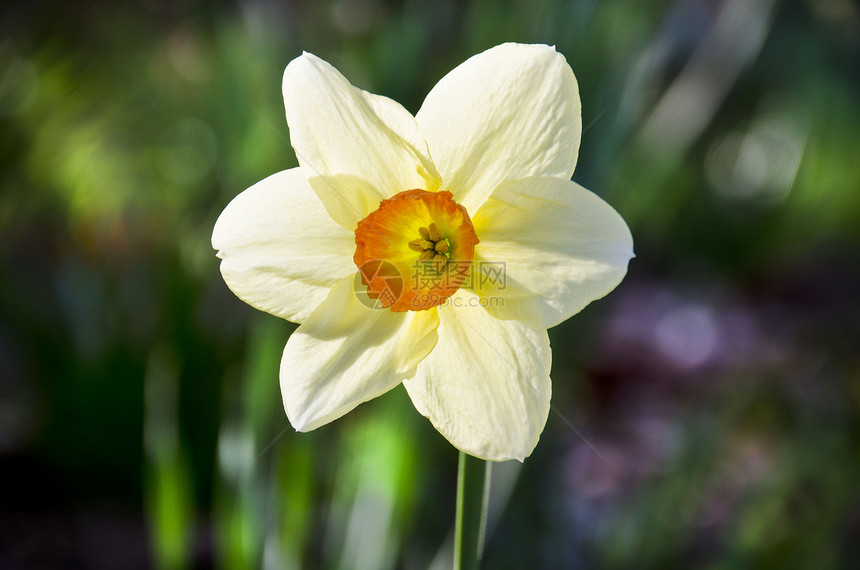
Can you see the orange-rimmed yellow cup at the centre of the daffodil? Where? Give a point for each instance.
(425, 237)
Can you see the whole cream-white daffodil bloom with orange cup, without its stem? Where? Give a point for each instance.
(432, 250)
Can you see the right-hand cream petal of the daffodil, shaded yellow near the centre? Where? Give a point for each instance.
(561, 247)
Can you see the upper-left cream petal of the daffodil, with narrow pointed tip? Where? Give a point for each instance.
(354, 147)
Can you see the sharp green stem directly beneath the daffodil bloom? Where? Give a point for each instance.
(473, 490)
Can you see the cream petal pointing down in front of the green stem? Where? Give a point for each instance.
(485, 386)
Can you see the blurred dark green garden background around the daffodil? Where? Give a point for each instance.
(706, 413)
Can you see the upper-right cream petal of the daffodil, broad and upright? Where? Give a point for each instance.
(510, 112)
